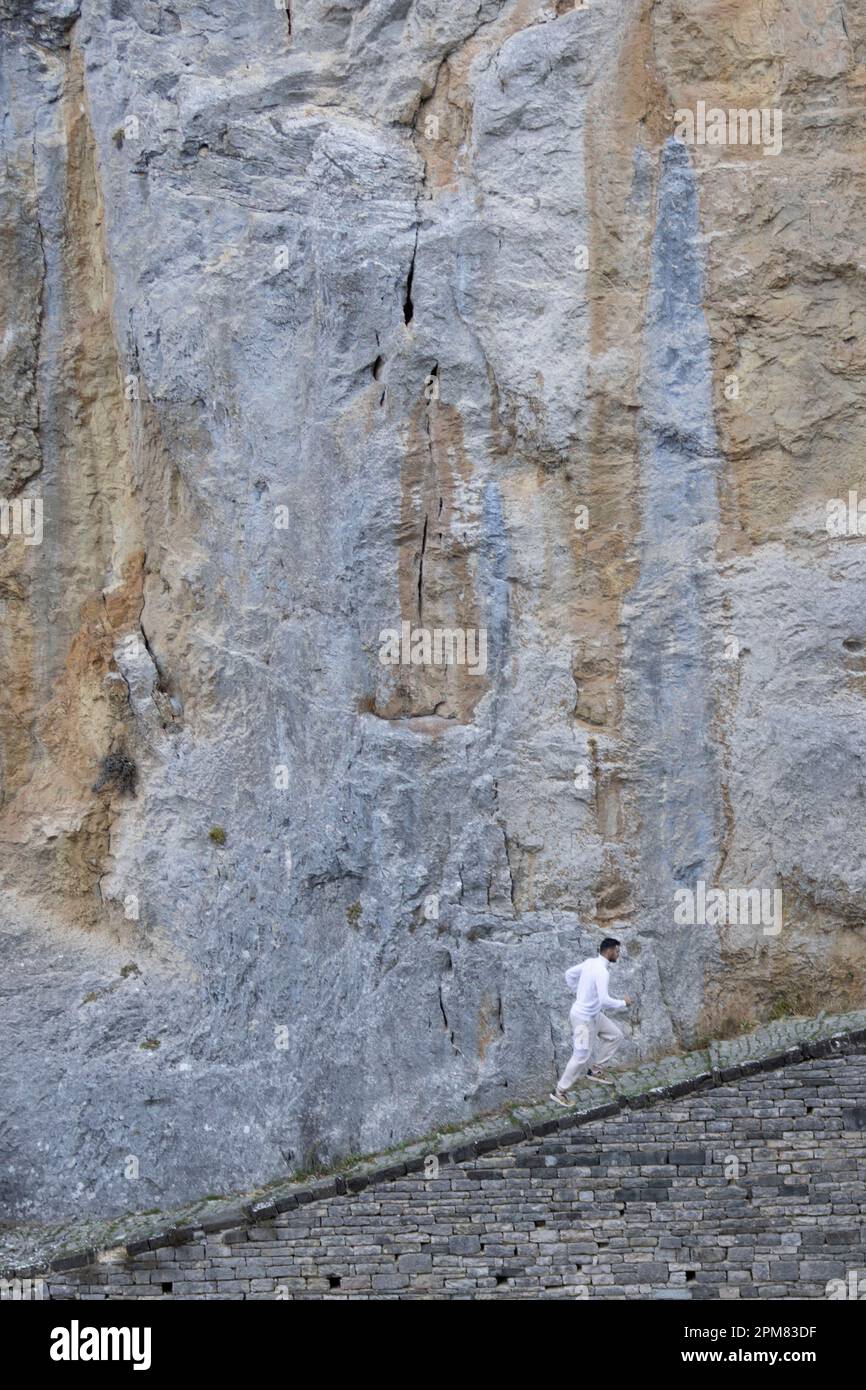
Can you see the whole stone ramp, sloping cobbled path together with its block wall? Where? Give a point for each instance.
(786, 1103)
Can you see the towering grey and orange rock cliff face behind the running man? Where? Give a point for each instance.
(405, 318)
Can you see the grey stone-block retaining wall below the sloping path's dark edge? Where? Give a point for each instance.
(751, 1191)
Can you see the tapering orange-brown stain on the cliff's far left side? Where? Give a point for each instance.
(77, 710)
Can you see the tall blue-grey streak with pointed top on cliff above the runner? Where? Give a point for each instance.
(671, 615)
